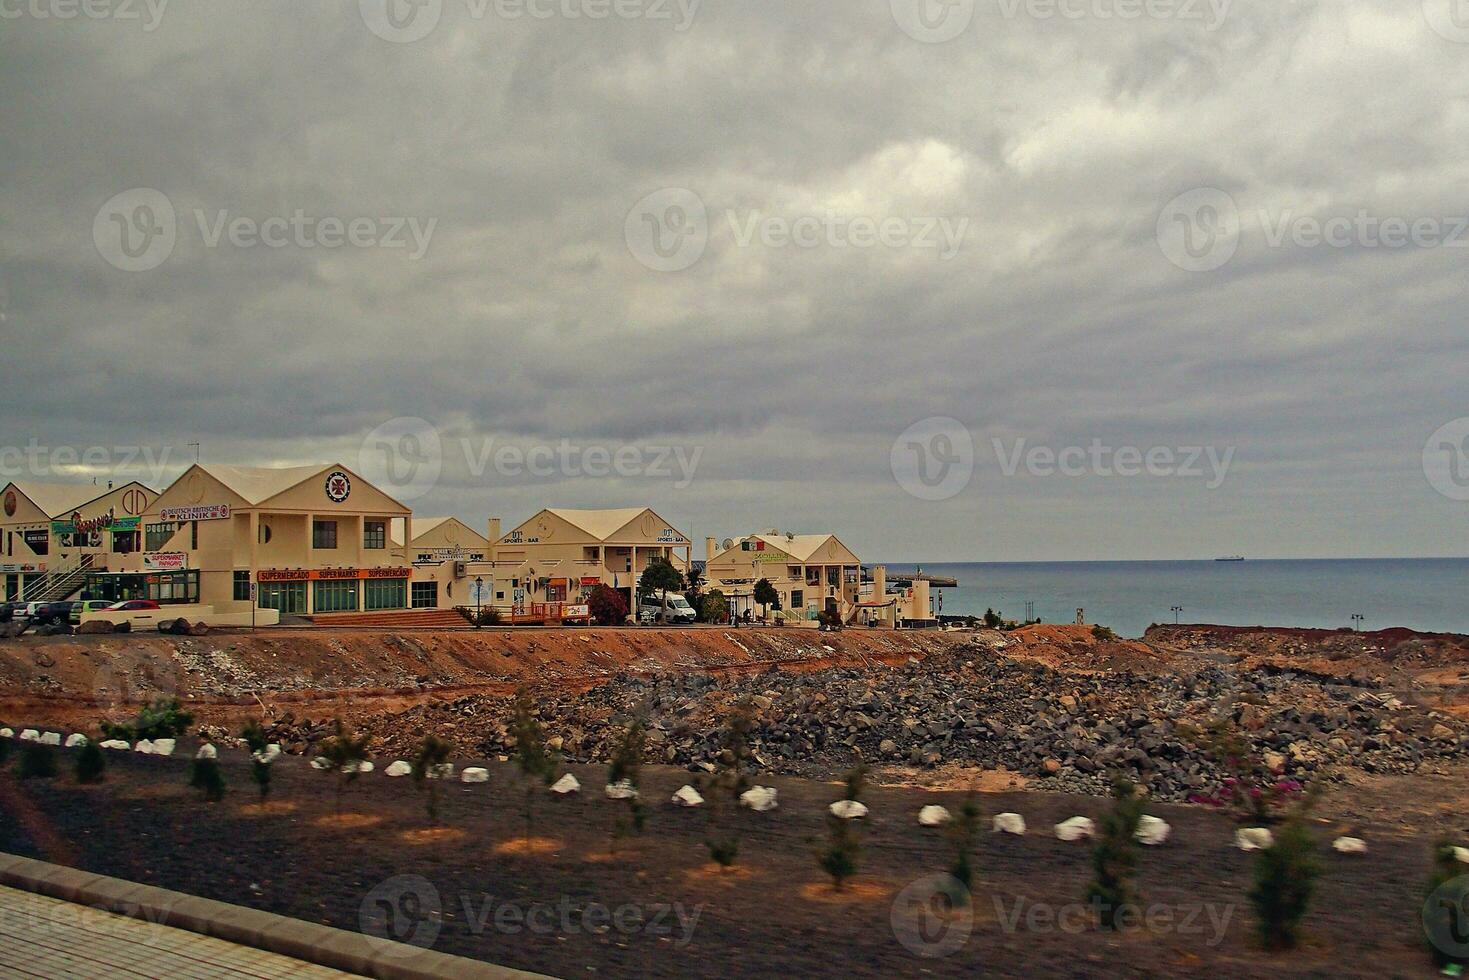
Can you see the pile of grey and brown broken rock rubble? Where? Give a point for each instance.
(975, 709)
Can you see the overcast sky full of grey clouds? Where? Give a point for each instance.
(773, 236)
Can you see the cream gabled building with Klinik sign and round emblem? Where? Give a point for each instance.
(303, 540)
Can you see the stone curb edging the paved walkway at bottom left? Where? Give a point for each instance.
(321, 945)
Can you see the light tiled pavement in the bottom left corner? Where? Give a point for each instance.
(46, 938)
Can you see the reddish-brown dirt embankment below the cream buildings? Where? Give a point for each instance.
(73, 681)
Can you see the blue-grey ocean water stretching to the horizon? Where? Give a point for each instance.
(1424, 594)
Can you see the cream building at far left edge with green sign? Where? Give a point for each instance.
(54, 534)
